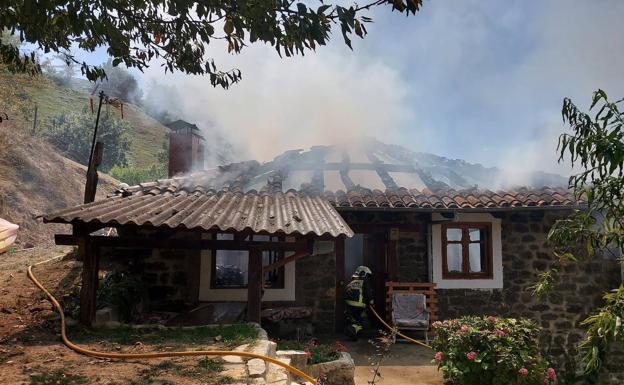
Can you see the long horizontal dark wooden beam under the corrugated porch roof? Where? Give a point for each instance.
(186, 244)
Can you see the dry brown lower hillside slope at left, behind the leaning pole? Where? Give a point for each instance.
(34, 180)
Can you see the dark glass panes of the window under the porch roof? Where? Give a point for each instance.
(229, 267)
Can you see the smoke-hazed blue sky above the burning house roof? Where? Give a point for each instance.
(479, 80)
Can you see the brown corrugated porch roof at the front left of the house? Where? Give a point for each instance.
(225, 211)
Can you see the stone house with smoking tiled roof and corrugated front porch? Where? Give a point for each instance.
(271, 235)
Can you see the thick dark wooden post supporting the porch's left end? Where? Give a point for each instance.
(90, 269)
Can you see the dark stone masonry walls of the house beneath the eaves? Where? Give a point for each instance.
(520, 252)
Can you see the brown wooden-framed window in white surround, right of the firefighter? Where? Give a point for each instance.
(466, 251)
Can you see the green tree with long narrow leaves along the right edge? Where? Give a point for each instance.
(596, 145)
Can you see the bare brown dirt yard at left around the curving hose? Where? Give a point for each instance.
(31, 351)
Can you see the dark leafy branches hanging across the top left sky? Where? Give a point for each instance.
(134, 32)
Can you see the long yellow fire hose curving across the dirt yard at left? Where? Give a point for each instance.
(126, 356)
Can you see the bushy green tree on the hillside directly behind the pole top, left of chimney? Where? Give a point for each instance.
(72, 133)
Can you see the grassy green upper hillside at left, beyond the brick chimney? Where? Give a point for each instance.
(18, 101)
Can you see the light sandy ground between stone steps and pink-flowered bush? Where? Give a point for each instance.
(406, 364)
